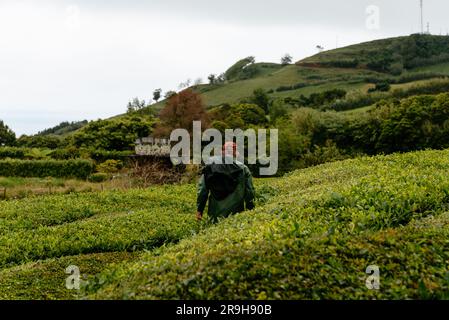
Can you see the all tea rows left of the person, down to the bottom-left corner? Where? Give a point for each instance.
(88, 230)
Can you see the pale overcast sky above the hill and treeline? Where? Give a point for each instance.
(85, 59)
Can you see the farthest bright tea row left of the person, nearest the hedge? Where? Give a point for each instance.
(53, 210)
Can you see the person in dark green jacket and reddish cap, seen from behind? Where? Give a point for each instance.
(228, 187)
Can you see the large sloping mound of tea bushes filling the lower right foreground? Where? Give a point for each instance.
(313, 240)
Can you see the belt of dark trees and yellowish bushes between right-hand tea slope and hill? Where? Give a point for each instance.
(311, 137)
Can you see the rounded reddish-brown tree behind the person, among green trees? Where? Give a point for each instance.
(180, 112)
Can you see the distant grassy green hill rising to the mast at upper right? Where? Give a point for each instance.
(350, 68)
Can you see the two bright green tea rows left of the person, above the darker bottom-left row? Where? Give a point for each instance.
(55, 226)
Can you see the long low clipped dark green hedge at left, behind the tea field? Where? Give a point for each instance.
(80, 169)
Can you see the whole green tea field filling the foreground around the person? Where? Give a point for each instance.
(312, 235)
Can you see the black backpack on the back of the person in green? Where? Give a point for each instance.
(222, 179)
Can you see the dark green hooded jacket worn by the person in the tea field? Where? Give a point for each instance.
(234, 202)
